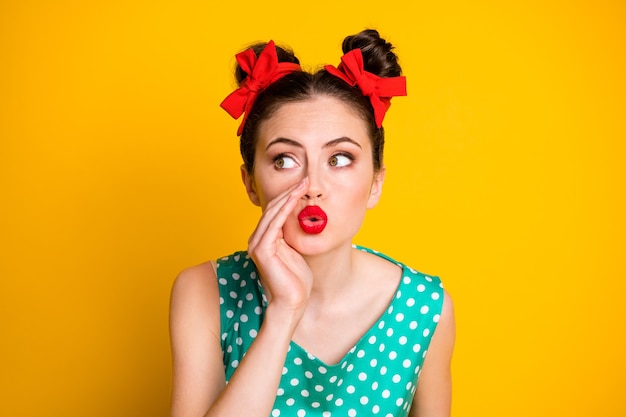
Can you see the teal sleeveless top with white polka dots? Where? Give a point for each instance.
(377, 377)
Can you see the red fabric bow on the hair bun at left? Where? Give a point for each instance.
(262, 72)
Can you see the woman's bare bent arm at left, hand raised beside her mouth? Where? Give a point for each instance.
(199, 387)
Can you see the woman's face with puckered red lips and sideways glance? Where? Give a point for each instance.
(323, 139)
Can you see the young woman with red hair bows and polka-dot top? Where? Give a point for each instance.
(304, 323)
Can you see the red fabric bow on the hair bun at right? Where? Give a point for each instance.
(378, 89)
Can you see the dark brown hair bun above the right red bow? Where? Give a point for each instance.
(378, 55)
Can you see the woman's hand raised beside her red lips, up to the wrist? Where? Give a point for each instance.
(285, 274)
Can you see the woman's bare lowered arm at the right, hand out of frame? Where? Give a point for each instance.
(434, 388)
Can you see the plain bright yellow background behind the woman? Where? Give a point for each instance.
(505, 177)
